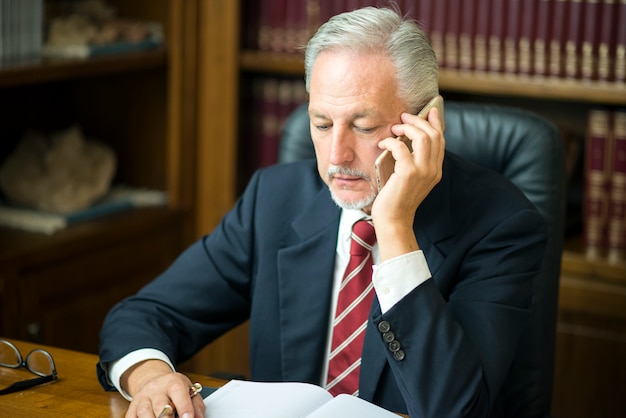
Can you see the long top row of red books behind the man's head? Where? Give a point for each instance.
(580, 39)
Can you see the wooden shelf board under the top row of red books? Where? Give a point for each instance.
(468, 82)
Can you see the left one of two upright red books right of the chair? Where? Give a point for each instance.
(597, 174)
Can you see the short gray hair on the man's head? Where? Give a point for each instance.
(372, 29)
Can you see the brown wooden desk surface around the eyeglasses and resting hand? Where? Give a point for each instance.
(76, 393)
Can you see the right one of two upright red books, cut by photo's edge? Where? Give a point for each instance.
(617, 197)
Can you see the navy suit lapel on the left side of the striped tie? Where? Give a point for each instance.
(306, 266)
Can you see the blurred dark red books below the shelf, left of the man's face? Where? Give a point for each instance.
(267, 101)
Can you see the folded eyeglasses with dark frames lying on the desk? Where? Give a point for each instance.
(38, 362)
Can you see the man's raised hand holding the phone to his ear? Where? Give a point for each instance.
(415, 175)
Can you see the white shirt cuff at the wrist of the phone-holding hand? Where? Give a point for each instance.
(397, 277)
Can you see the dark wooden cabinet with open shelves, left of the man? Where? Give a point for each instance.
(56, 289)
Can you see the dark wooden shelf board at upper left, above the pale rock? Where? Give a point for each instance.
(48, 70)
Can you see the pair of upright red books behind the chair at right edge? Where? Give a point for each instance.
(605, 185)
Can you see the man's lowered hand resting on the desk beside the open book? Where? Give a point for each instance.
(153, 384)
